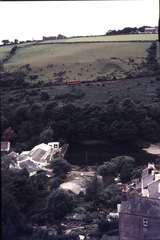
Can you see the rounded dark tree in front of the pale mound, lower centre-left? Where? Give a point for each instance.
(59, 204)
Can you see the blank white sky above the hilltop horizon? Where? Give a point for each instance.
(33, 20)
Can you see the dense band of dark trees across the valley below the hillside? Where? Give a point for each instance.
(124, 122)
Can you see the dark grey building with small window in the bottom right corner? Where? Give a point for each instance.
(139, 218)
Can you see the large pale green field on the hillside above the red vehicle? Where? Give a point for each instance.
(80, 61)
